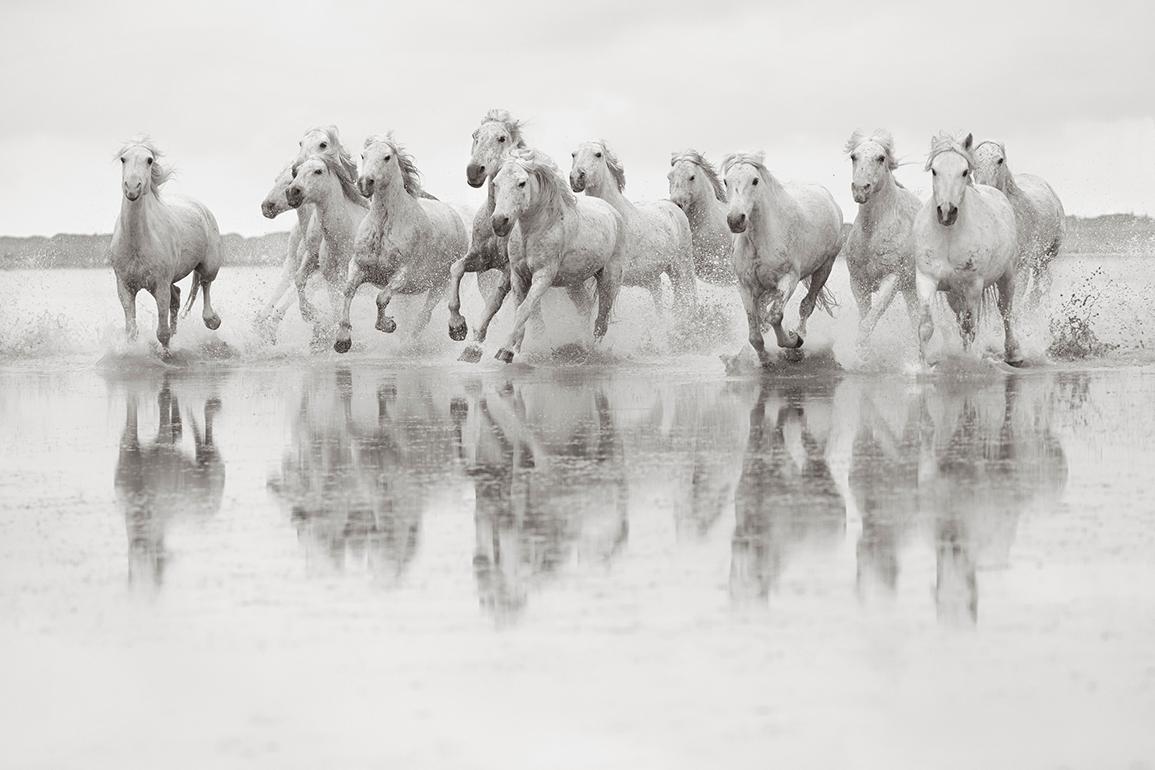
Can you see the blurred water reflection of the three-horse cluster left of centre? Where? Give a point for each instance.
(356, 487)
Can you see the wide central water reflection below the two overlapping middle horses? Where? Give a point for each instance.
(549, 485)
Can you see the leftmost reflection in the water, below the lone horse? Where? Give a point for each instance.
(160, 482)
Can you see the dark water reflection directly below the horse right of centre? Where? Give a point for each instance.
(786, 495)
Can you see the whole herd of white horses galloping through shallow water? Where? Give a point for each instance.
(983, 233)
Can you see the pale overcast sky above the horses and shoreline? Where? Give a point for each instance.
(227, 91)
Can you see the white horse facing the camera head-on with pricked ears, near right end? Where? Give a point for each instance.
(965, 243)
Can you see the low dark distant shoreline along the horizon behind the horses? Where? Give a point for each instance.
(1112, 235)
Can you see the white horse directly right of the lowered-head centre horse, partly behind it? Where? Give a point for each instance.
(658, 234)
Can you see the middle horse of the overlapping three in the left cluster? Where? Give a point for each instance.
(318, 182)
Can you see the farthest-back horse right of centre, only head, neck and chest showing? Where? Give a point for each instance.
(696, 189)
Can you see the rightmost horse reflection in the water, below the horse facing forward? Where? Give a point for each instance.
(987, 454)
